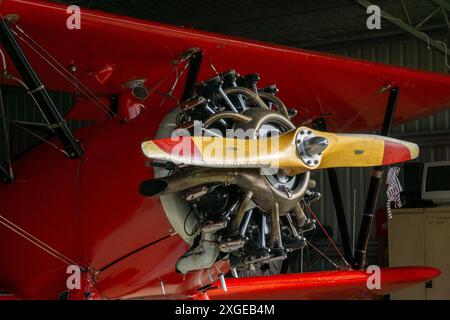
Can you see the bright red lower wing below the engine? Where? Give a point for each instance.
(321, 285)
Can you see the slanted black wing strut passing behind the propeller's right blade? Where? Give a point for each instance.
(374, 186)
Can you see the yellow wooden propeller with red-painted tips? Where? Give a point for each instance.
(296, 151)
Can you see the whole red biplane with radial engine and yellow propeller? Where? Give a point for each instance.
(141, 221)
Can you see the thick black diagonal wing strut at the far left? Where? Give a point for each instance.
(37, 89)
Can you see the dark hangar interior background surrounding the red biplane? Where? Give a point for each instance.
(412, 35)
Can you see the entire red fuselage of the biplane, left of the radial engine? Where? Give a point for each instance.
(91, 211)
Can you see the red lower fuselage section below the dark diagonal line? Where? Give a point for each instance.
(145, 274)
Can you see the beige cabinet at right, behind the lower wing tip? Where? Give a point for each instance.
(421, 237)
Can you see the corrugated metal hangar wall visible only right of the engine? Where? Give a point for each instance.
(354, 182)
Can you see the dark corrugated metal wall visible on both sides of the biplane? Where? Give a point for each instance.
(353, 182)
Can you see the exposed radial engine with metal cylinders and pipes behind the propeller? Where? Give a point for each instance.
(246, 216)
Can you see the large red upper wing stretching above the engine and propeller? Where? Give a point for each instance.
(110, 50)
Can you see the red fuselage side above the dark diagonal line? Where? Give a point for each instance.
(88, 209)
